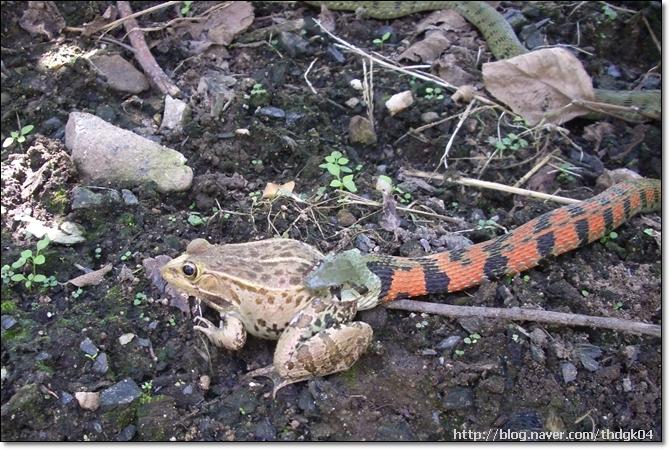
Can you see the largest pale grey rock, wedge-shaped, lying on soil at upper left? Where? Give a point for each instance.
(106, 154)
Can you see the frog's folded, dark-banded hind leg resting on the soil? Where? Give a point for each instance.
(319, 340)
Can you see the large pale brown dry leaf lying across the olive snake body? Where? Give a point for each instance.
(541, 85)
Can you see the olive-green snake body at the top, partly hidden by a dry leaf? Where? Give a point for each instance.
(502, 40)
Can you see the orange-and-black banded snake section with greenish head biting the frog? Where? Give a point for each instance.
(388, 278)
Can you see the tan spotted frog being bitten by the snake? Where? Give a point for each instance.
(258, 288)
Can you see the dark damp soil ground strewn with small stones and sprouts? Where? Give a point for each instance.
(424, 377)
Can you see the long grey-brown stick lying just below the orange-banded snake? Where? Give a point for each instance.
(533, 315)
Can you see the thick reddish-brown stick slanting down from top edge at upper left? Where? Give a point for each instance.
(143, 54)
